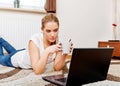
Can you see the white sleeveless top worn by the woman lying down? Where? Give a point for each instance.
(22, 59)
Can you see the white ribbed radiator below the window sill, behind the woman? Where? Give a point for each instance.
(18, 27)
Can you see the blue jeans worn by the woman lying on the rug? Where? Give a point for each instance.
(6, 59)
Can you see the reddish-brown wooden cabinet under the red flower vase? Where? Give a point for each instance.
(116, 45)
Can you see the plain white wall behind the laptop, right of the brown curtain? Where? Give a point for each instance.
(86, 21)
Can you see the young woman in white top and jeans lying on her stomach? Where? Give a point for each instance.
(43, 53)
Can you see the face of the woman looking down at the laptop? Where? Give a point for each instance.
(50, 31)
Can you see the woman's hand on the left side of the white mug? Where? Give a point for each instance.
(54, 48)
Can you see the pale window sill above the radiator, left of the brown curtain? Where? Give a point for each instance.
(23, 10)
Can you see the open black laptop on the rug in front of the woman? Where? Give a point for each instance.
(87, 65)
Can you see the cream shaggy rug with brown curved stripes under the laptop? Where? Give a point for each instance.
(21, 77)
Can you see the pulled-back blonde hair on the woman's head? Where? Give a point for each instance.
(49, 18)
